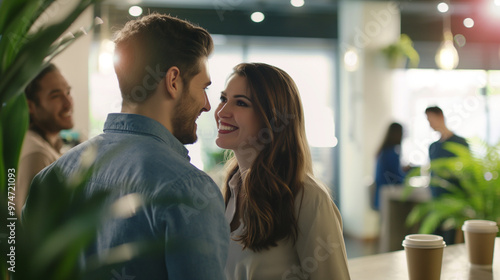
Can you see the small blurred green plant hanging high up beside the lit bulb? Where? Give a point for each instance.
(401, 52)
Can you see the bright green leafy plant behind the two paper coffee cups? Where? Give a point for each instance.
(477, 197)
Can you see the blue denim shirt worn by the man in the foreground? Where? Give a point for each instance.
(137, 155)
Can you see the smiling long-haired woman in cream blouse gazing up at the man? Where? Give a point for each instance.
(284, 224)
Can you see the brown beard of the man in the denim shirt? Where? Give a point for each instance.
(184, 120)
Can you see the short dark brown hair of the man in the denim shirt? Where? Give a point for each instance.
(147, 47)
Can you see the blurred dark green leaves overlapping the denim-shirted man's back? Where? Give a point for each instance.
(61, 221)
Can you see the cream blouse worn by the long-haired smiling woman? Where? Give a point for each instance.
(318, 254)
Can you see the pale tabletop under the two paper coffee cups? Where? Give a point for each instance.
(392, 266)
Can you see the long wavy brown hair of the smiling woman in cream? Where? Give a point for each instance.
(282, 162)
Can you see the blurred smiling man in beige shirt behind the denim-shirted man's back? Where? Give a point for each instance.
(51, 110)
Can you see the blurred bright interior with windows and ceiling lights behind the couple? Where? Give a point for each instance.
(333, 49)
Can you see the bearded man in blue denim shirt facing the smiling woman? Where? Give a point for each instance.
(161, 65)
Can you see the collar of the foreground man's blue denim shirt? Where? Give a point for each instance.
(139, 124)
